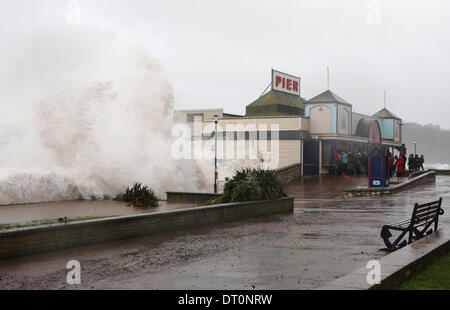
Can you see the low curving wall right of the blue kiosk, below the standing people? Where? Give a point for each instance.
(426, 178)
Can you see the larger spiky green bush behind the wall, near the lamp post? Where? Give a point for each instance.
(251, 185)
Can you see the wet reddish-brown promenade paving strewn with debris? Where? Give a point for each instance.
(325, 238)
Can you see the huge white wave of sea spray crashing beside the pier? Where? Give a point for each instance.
(95, 113)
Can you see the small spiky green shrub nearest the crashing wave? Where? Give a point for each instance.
(139, 196)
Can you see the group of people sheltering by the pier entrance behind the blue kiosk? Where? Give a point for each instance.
(348, 163)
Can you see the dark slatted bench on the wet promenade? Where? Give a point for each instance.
(418, 226)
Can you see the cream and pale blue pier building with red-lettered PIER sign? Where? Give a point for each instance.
(310, 131)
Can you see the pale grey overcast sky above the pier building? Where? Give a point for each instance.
(220, 53)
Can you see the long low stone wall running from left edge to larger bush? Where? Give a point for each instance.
(44, 238)
